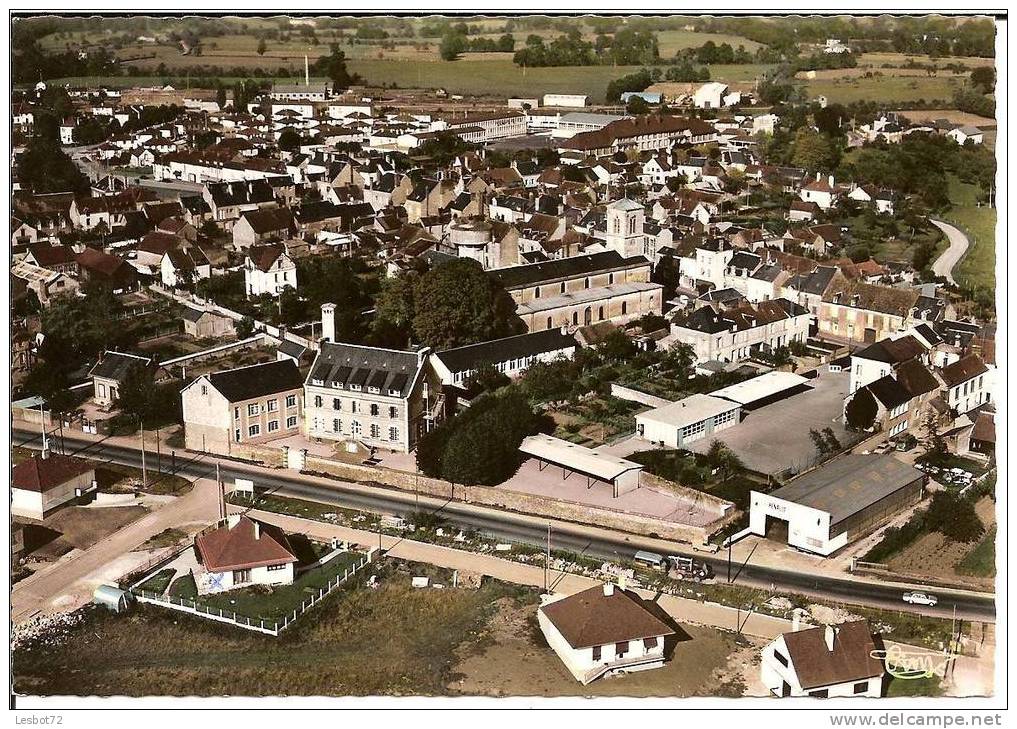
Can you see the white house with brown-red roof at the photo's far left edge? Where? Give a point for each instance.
(48, 480)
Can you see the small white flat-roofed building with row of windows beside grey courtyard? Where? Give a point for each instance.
(689, 420)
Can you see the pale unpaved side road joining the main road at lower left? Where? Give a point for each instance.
(64, 585)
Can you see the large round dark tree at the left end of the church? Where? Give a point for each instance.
(458, 303)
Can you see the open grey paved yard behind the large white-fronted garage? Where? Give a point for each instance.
(774, 439)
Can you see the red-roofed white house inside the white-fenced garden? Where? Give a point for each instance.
(243, 553)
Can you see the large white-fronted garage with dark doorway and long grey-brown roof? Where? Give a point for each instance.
(826, 509)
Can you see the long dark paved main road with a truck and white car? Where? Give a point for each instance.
(591, 541)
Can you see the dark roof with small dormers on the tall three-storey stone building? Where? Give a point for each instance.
(340, 366)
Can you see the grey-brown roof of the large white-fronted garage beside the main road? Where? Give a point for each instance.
(850, 484)
